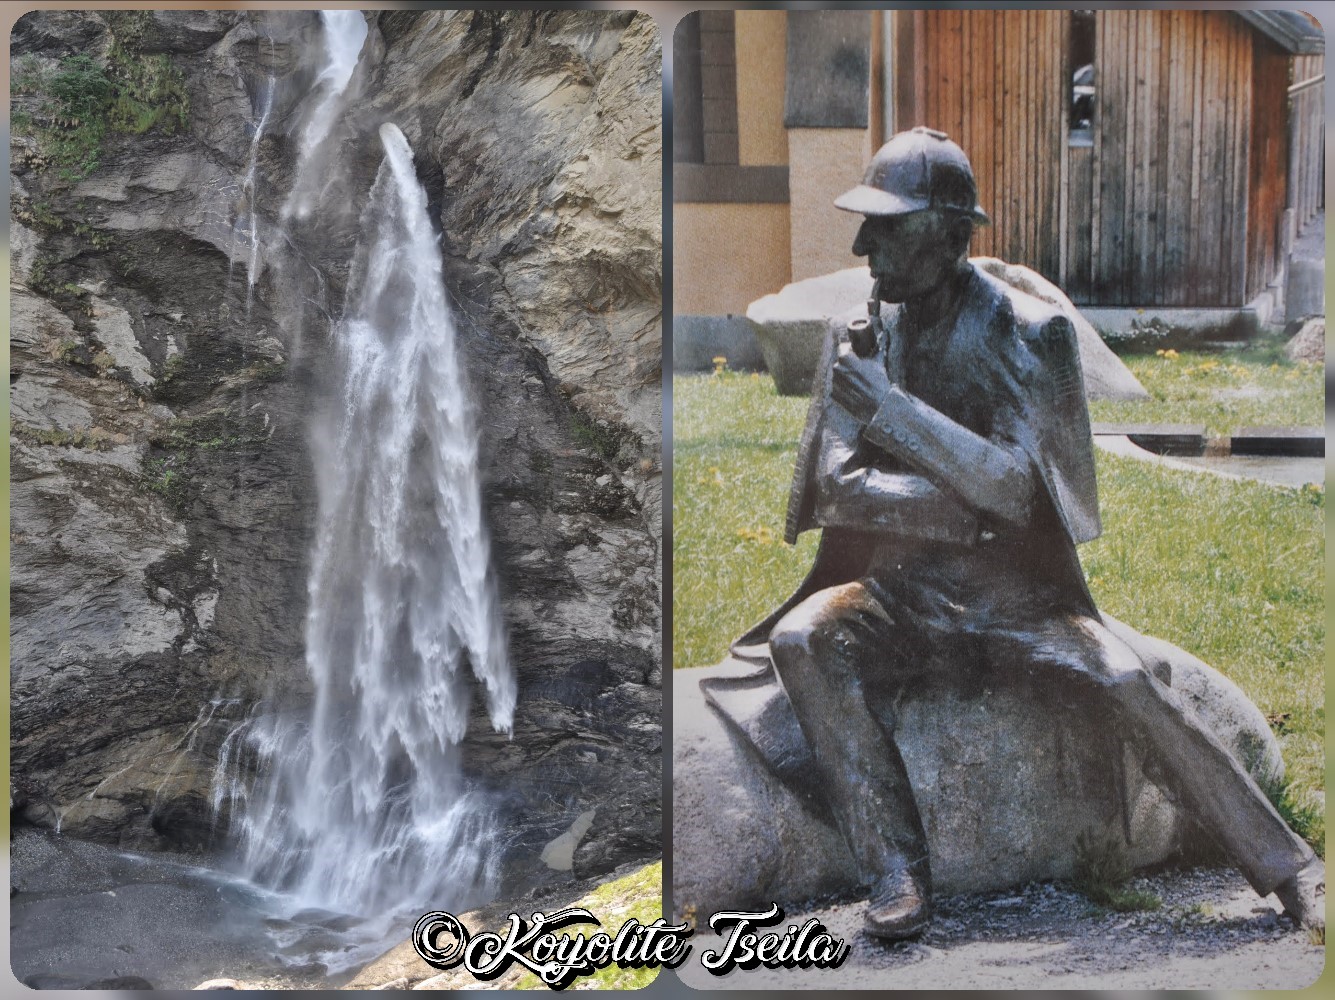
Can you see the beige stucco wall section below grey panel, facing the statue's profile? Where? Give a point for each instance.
(824, 164)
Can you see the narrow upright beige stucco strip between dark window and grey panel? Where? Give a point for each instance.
(762, 55)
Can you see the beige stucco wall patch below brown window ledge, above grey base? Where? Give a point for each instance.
(727, 256)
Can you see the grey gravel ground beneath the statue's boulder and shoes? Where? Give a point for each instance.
(1212, 934)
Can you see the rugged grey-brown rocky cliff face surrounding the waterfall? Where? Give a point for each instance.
(170, 326)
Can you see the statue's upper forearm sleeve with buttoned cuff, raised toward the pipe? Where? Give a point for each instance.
(991, 477)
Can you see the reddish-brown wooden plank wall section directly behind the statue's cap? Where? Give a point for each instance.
(993, 81)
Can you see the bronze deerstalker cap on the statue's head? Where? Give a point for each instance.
(916, 170)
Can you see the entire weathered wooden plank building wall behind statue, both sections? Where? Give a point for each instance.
(1181, 197)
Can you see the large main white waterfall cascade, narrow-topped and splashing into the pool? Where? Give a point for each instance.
(366, 804)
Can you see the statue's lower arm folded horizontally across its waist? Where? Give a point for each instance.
(854, 492)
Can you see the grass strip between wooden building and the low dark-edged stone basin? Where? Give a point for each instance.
(1225, 392)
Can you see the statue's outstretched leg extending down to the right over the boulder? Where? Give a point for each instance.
(1190, 762)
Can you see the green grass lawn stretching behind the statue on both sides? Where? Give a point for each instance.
(1232, 572)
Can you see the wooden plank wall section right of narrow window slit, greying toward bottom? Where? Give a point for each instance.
(1171, 165)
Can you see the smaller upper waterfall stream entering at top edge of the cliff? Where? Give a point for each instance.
(344, 34)
